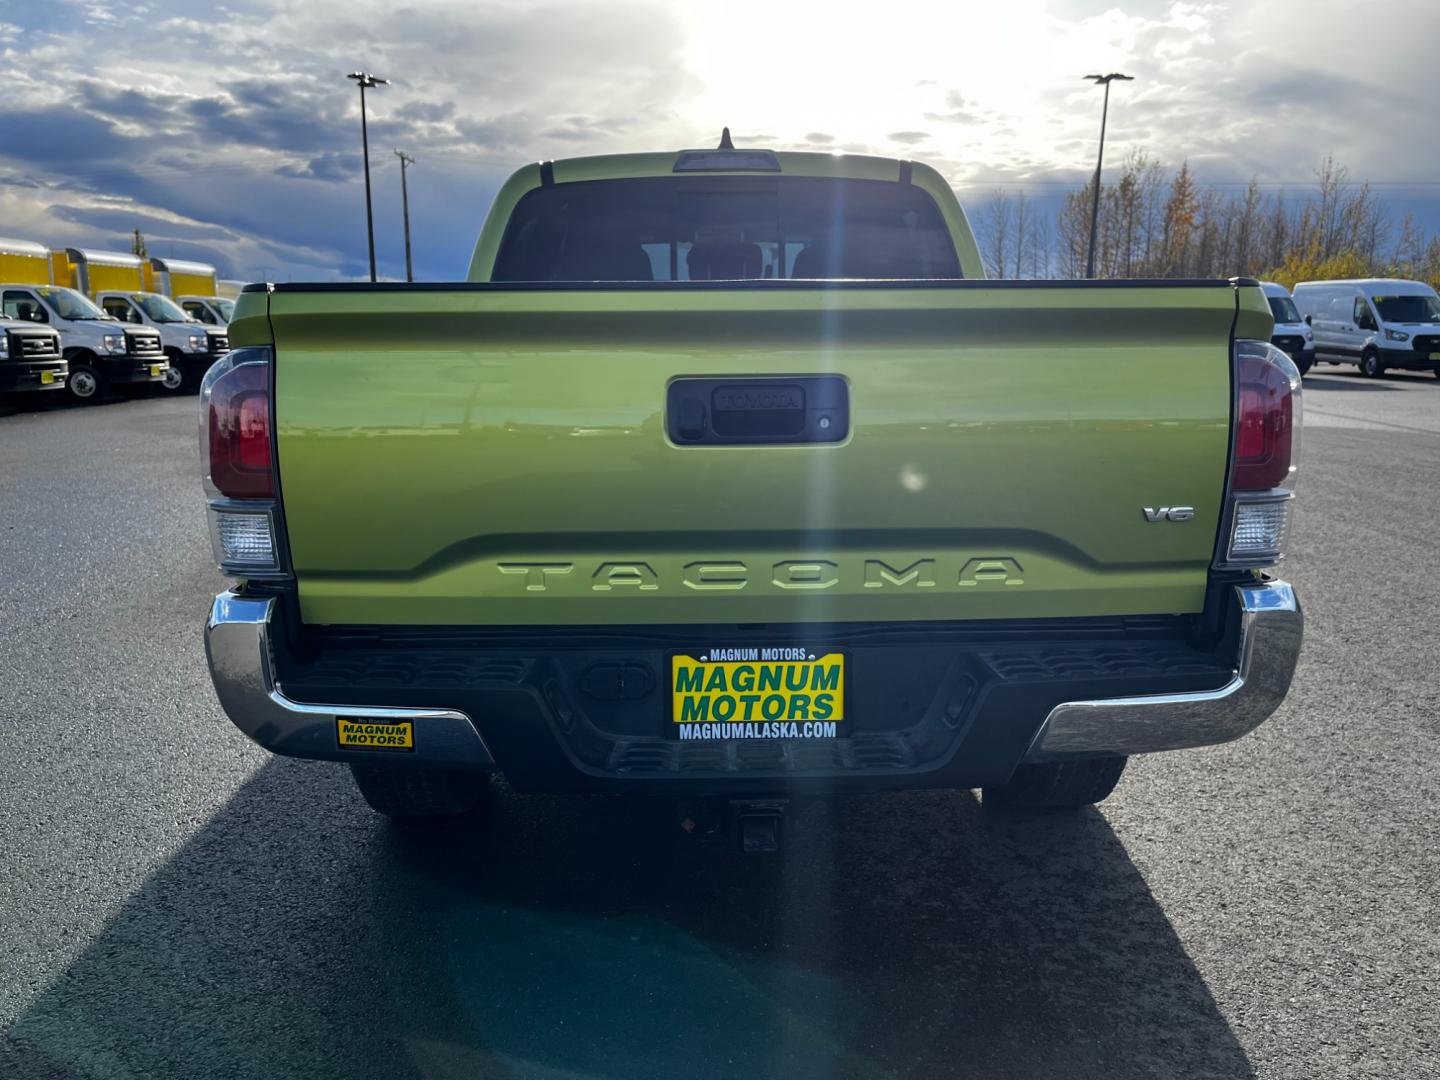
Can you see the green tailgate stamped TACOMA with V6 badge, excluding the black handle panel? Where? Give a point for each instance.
(499, 456)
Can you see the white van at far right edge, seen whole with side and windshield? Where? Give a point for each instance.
(1374, 323)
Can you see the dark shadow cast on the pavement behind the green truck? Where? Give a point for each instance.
(904, 935)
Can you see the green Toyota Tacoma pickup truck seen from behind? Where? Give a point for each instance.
(726, 474)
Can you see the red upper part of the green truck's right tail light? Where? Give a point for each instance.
(1266, 421)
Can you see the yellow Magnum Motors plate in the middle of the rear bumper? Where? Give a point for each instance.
(780, 692)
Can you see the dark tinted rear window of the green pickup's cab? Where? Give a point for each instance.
(725, 228)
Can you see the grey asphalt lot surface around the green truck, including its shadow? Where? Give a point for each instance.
(175, 904)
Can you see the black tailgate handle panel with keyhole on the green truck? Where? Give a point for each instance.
(758, 411)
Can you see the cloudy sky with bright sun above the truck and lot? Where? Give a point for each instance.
(230, 133)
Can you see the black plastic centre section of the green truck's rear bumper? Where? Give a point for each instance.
(945, 706)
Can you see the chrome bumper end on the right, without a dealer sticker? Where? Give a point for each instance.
(1269, 633)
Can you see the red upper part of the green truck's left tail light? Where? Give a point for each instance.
(240, 428)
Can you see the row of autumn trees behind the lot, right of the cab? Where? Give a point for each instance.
(1164, 225)
